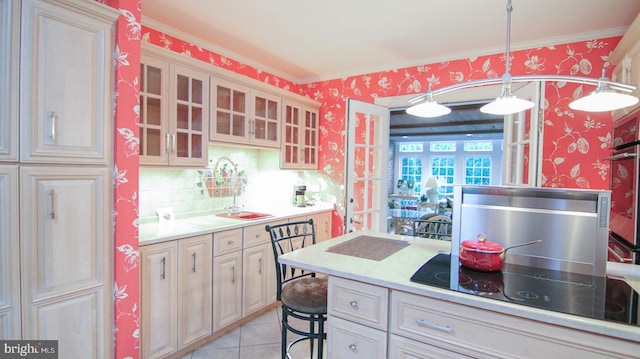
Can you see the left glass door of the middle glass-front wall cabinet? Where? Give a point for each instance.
(230, 103)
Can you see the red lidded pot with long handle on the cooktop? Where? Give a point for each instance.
(484, 255)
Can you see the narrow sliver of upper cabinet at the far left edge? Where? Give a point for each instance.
(9, 62)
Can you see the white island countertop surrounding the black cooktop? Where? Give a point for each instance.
(395, 271)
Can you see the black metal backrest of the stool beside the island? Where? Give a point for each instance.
(288, 237)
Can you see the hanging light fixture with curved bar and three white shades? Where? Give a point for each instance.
(604, 98)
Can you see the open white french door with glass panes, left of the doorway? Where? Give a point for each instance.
(367, 161)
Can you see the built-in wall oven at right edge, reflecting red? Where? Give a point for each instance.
(624, 245)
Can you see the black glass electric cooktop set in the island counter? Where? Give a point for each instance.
(571, 293)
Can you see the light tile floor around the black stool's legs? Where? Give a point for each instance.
(258, 339)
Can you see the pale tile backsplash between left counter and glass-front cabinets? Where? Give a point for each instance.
(268, 187)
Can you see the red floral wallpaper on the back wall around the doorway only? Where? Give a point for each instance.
(574, 142)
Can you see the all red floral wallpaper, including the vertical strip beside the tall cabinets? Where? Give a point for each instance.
(573, 146)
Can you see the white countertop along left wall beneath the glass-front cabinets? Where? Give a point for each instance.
(149, 233)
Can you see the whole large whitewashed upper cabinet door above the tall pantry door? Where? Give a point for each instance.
(66, 77)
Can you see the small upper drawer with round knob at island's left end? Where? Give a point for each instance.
(359, 302)
